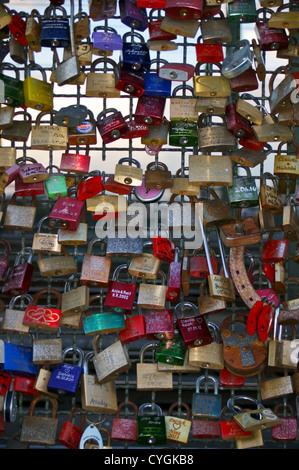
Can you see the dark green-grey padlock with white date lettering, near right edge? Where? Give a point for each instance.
(243, 192)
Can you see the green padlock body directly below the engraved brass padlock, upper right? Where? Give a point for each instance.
(183, 133)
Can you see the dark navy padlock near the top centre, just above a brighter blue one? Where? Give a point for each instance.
(135, 55)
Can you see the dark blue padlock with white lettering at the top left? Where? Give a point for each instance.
(55, 30)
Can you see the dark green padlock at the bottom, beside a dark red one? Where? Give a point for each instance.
(151, 430)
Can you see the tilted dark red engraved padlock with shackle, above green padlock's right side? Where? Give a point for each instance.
(194, 329)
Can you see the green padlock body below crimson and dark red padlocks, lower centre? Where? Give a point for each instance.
(171, 351)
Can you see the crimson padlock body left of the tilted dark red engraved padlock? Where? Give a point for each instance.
(159, 324)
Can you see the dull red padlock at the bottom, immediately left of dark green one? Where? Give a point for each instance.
(125, 429)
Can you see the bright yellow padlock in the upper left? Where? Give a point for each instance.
(37, 93)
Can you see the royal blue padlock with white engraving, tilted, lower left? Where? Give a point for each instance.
(65, 377)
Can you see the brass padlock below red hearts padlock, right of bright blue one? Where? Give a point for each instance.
(47, 350)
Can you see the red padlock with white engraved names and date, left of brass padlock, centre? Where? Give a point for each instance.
(120, 295)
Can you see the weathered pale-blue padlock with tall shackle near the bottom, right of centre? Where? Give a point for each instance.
(206, 405)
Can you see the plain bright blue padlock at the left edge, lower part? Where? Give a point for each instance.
(18, 360)
